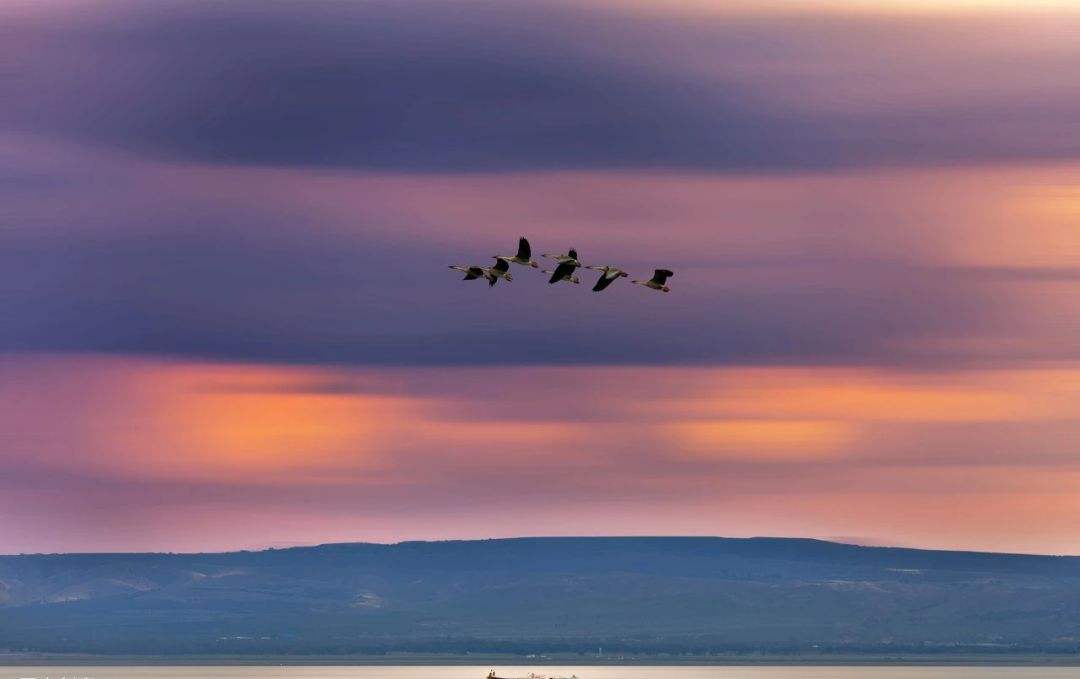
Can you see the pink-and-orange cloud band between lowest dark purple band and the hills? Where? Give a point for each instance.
(336, 454)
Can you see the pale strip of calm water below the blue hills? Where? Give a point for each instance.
(583, 673)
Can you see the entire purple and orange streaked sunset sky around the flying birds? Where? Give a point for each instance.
(226, 319)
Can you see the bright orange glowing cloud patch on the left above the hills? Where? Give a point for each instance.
(229, 424)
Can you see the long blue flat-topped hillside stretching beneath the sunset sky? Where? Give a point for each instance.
(531, 595)
